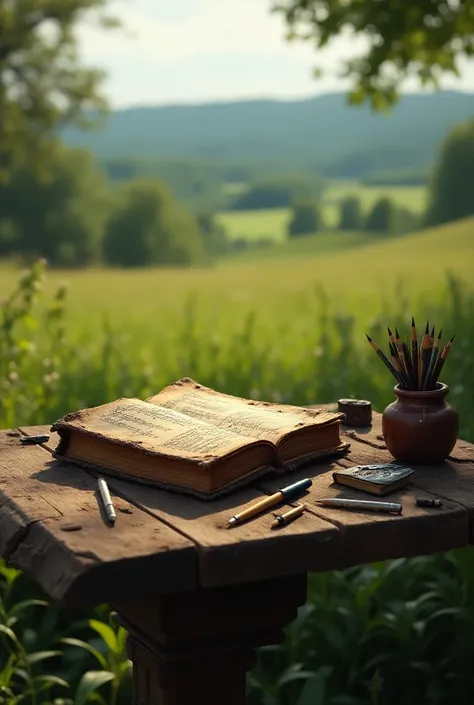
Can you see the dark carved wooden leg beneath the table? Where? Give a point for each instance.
(196, 647)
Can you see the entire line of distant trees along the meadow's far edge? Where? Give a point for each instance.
(75, 217)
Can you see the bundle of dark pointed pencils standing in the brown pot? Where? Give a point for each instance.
(416, 365)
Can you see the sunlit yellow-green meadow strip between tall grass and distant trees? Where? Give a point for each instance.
(356, 272)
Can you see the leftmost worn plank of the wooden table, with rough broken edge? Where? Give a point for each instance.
(51, 526)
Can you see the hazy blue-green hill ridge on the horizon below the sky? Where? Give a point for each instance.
(315, 131)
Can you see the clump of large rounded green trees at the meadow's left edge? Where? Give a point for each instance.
(72, 217)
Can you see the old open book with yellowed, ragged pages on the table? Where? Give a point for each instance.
(193, 439)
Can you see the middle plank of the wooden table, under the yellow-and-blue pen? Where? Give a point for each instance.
(244, 553)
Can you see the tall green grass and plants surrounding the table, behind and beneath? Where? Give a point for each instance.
(402, 630)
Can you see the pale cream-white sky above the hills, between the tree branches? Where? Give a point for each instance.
(194, 51)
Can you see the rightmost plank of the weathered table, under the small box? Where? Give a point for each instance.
(369, 536)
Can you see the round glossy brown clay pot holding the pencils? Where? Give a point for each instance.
(420, 428)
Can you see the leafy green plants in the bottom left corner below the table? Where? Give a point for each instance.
(32, 652)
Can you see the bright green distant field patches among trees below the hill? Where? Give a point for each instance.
(272, 224)
